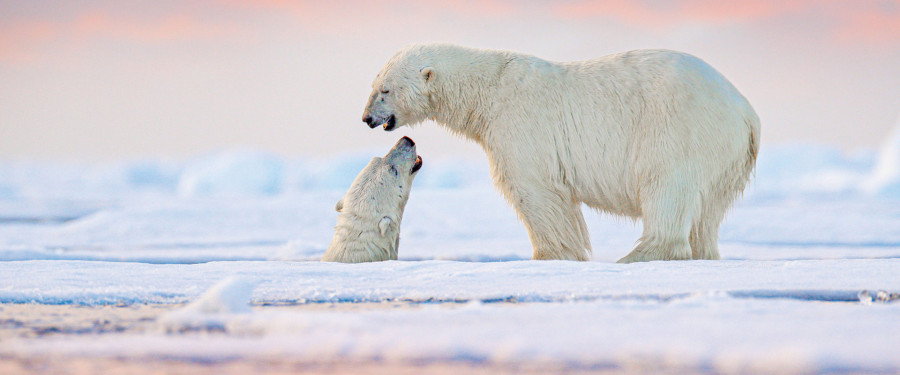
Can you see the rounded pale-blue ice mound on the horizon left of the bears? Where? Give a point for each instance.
(233, 173)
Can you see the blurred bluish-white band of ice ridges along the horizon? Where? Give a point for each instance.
(790, 170)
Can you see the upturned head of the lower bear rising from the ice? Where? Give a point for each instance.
(381, 190)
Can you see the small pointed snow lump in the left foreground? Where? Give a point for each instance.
(213, 309)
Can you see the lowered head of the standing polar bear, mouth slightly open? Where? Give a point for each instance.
(400, 91)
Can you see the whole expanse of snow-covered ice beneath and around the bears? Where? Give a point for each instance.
(808, 283)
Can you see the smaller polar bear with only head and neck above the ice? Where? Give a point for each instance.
(368, 227)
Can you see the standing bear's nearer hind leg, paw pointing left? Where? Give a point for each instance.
(667, 215)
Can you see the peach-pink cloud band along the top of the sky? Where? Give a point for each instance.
(23, 35)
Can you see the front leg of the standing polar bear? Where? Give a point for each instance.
(554, 222)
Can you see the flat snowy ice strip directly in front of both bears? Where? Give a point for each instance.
(280, 283)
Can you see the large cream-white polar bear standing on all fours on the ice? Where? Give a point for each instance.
(651, 134)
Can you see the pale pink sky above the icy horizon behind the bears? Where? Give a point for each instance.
(107, 79)
